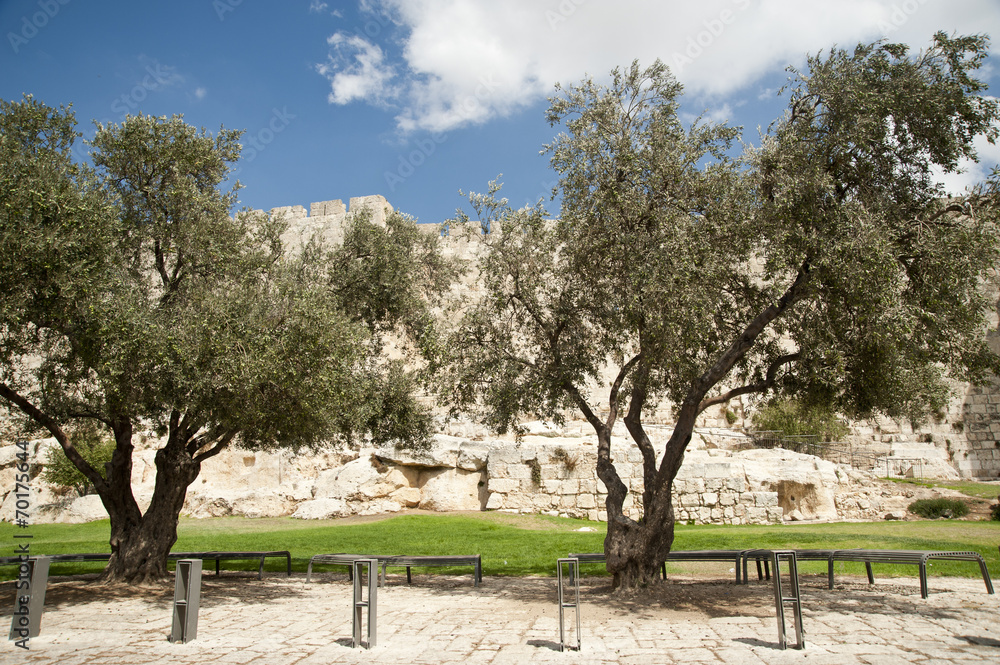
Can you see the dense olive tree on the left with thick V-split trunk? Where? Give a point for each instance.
(133, 299)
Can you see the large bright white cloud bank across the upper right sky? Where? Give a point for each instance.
(467, 61)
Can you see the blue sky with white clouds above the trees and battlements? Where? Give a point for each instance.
(416, 99)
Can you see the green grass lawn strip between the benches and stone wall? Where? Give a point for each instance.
(514, 544)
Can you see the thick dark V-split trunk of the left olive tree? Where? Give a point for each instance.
(140, 543)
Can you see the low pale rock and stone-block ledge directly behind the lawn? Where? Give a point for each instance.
(553, 472)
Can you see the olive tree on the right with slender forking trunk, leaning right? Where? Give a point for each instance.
(823, 264)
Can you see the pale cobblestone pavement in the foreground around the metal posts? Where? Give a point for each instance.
(442, 619)
